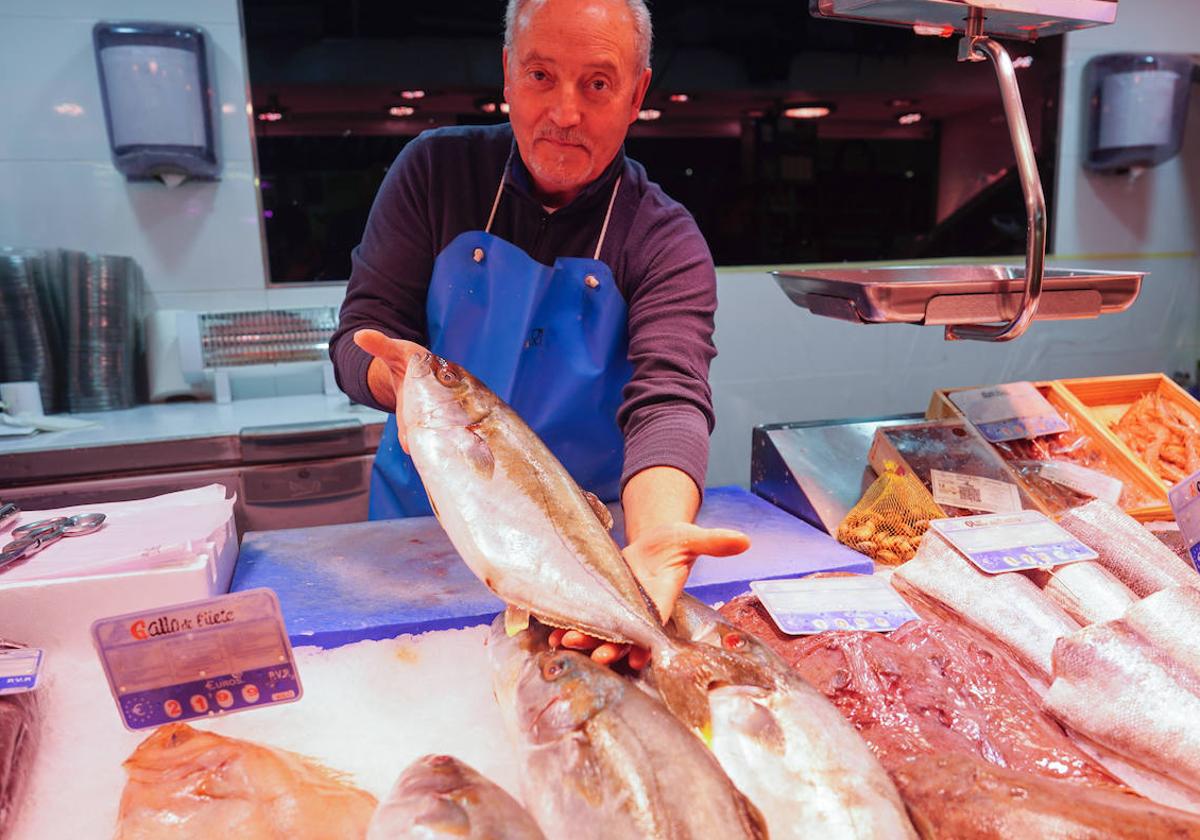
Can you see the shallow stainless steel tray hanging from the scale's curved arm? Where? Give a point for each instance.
(956, 295)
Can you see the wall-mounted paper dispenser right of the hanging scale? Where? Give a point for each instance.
(1138, 106)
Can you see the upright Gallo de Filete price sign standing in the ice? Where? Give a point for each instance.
(220, 656)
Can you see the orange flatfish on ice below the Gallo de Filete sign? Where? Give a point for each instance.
(187, 783)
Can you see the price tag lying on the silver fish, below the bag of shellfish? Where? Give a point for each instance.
(998, 543)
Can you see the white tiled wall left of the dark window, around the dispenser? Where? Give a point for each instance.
(57, 176)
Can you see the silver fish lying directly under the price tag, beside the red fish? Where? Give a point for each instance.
(1009, 609)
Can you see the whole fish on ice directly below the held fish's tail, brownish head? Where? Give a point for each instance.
(603, 759)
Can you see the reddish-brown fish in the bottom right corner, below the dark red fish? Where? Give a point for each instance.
(956, 797)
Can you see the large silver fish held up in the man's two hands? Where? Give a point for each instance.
(535, 538)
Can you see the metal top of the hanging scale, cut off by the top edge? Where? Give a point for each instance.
(1025, 20)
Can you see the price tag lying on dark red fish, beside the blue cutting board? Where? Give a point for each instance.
(809, 605)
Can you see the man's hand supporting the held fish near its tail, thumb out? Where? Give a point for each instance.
(662, 560)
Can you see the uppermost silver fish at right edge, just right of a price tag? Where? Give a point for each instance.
(1129, 550)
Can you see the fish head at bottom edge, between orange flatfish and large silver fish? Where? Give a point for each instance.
(441, 799)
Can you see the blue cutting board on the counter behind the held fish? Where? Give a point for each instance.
(376, 580)
